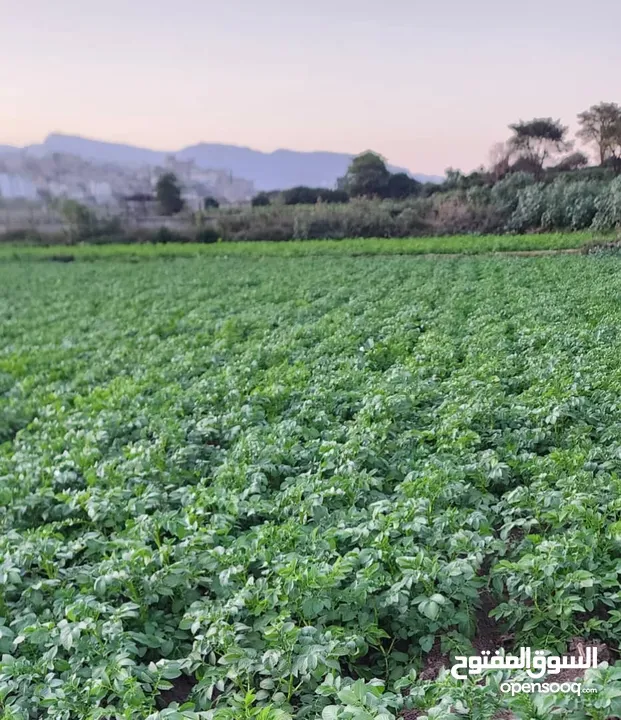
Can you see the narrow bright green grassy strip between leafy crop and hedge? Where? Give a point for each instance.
(466, 244)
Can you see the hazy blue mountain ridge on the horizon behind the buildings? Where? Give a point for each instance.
(277, 170)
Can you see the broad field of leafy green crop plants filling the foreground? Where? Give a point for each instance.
(238, 487)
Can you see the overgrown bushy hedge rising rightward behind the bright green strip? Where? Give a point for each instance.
(515, 204)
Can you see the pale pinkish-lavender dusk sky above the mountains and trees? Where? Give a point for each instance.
(428, 84)
